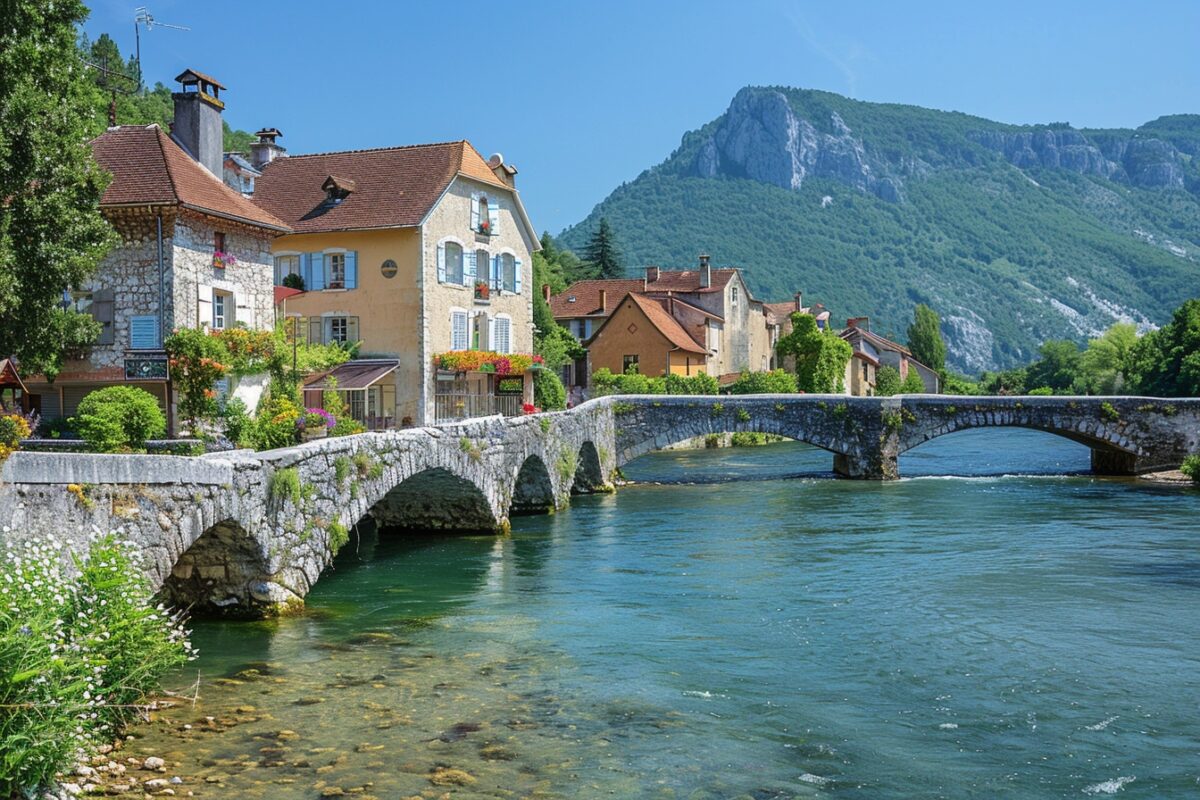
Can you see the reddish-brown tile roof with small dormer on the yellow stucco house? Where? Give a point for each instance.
(394, 188)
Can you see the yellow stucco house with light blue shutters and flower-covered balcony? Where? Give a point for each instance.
(416, 251)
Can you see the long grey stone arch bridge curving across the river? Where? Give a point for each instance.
(249, 534)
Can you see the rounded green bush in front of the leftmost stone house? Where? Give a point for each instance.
(119, 419)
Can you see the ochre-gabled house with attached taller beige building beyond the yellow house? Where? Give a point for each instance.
(669, 322)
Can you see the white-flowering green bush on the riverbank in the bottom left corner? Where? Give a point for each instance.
(77, 654)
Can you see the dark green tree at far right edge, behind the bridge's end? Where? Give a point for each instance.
(1167, 362)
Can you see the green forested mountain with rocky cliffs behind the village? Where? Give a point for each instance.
(1016, 234)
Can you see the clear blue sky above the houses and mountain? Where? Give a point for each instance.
(585, 97)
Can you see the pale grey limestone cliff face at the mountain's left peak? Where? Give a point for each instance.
(761, 137)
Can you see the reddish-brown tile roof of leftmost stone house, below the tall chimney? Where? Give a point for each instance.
(151, 170)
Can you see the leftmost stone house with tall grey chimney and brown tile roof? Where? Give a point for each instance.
(193, 252)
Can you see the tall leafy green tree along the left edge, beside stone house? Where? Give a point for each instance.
(52, 234)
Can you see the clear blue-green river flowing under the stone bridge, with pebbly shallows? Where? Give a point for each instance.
(997, 624)
